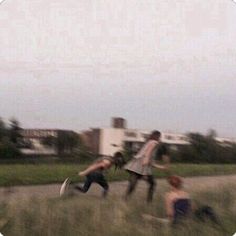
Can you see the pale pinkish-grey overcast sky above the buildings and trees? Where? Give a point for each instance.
(163, 64)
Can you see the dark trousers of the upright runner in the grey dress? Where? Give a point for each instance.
(133, 179)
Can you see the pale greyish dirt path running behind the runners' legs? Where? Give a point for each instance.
(116, 188)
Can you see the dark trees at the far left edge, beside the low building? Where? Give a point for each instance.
(10, 139)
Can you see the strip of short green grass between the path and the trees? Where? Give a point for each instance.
(28, 174)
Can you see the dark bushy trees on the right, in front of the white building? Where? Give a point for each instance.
(205, 149)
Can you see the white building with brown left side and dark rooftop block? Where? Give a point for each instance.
(108, 141)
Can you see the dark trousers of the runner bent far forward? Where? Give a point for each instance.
(94, 177)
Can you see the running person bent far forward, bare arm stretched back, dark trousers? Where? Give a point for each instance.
(95, 173)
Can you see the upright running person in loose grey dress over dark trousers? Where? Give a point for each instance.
(140, 167)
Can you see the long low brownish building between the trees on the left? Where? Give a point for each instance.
(39, 141)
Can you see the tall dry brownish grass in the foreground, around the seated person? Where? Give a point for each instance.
(92, 216)
